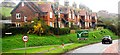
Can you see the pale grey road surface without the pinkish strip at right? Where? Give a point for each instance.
(94, 48)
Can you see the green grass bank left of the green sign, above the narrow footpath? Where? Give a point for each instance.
(15, 41)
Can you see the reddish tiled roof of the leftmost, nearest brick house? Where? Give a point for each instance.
(36, 7)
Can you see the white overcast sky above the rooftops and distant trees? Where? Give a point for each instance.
(95, 5)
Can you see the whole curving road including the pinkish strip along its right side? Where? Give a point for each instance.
(98, 48)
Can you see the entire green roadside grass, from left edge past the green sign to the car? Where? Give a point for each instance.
(15, 42)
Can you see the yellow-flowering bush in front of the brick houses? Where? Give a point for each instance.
(38, 27)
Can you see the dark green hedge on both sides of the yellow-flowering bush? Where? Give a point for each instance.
(24, 30)
